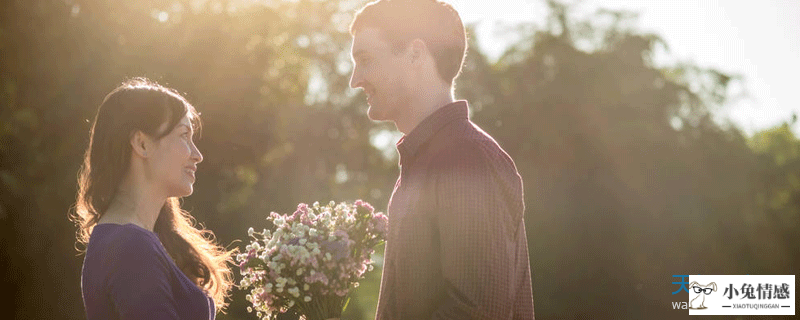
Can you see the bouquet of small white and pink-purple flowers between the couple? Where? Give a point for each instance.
(311, 260)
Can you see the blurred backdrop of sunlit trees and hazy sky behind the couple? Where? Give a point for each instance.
(635, 167)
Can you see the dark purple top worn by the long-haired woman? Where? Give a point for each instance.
(127, 274)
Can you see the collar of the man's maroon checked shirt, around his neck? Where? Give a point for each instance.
(424, 131)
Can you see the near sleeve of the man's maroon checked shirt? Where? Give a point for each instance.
(476, 234)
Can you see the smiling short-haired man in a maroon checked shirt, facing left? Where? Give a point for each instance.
(457, 246)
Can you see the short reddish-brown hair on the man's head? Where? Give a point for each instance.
(434, 22)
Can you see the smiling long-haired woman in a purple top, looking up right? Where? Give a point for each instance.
(144, 258)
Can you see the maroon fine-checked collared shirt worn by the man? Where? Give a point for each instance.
(457, 247)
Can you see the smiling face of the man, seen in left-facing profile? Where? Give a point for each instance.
(381, 74)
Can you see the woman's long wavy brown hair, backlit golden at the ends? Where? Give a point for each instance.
(142, 105)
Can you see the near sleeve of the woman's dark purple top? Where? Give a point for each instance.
(139, 281)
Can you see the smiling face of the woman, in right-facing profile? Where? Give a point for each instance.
(175, 160)
